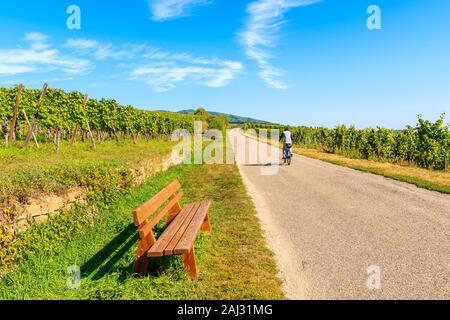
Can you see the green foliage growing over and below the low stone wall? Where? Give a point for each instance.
(104, 181)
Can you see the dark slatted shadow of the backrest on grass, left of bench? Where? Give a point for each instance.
(104, 261)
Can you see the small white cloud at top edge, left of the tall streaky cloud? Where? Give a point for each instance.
(171, 9)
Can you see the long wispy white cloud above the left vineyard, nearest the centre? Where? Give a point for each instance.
(160, 69)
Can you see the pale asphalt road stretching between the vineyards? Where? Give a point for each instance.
(338, 233)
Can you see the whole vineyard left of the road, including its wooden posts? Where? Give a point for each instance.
(55, 115)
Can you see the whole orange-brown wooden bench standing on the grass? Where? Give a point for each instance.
(183, 226)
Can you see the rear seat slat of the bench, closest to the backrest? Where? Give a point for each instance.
(157, 250)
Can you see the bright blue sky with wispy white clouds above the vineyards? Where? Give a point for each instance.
(289, 61)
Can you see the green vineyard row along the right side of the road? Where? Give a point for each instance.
(426, 145)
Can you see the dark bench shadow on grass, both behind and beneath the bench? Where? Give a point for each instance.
(106, 261)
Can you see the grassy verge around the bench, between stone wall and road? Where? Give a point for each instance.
(234, 262)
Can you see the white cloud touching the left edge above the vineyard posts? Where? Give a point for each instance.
(39, 56)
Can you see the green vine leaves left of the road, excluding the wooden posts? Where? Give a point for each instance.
(65, 110)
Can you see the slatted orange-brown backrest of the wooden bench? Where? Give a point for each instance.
(142, 214)
